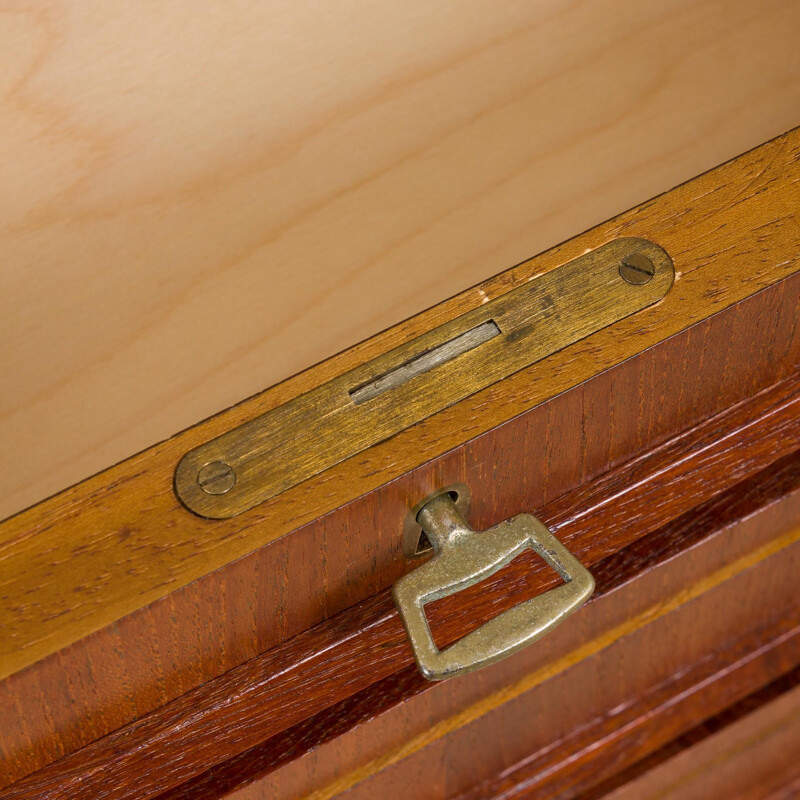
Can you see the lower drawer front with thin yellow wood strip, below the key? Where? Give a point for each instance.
(655, 653)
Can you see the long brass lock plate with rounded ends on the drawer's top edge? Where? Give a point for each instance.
(378, 399)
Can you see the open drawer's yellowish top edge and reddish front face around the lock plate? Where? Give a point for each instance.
(116, 542)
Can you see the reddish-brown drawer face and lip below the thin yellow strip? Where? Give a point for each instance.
(603, 713)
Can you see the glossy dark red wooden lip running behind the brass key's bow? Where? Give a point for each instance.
(325, 665)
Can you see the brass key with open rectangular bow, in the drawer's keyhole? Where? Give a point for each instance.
(464, 557)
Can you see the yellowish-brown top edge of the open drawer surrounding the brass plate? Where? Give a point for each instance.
(120, 540)
